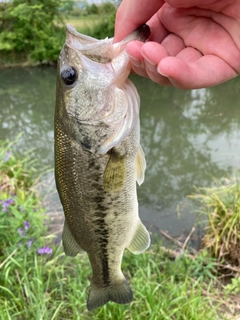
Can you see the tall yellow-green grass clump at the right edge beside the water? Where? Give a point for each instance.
(221, 205)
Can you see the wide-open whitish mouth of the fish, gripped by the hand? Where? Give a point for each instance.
(102, 55)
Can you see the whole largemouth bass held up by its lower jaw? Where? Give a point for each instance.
(99, 159)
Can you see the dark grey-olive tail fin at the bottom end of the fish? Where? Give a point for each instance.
(120, 293)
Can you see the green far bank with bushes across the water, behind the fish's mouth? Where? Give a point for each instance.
(33, 43)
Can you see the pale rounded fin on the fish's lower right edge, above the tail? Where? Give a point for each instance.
(141, 239)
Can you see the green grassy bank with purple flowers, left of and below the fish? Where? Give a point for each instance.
(37, 281)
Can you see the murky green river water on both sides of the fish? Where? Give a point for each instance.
(189, 138)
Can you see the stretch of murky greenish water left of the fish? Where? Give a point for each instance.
(27, 105)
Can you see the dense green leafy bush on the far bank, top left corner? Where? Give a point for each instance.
(31, 30)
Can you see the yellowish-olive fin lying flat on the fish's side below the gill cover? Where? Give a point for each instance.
(115, 173)
